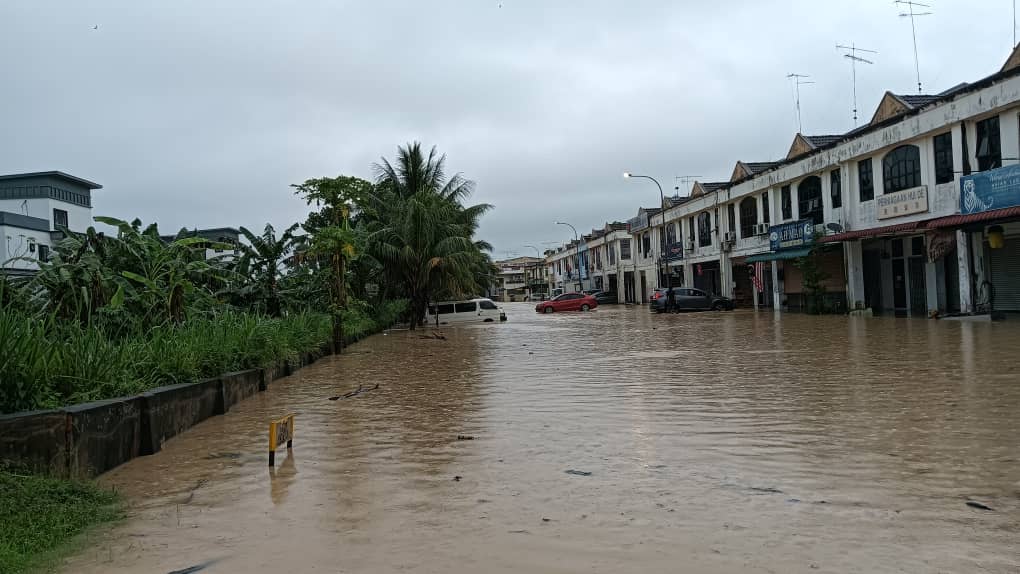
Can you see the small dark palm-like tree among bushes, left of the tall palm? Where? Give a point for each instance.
(262, 265)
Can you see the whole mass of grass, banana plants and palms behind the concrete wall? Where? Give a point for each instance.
(115, 315)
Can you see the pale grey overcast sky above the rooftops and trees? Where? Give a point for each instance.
(201, 114)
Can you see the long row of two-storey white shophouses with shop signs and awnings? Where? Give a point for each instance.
(880, 207)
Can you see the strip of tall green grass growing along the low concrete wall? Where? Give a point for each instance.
(47, 364)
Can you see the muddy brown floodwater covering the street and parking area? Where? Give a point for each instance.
(717, 443)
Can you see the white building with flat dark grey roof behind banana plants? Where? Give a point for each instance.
(33, 210)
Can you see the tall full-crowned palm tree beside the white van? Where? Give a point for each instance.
(424, 234)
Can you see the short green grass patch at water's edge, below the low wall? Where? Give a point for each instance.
(43, 514)
